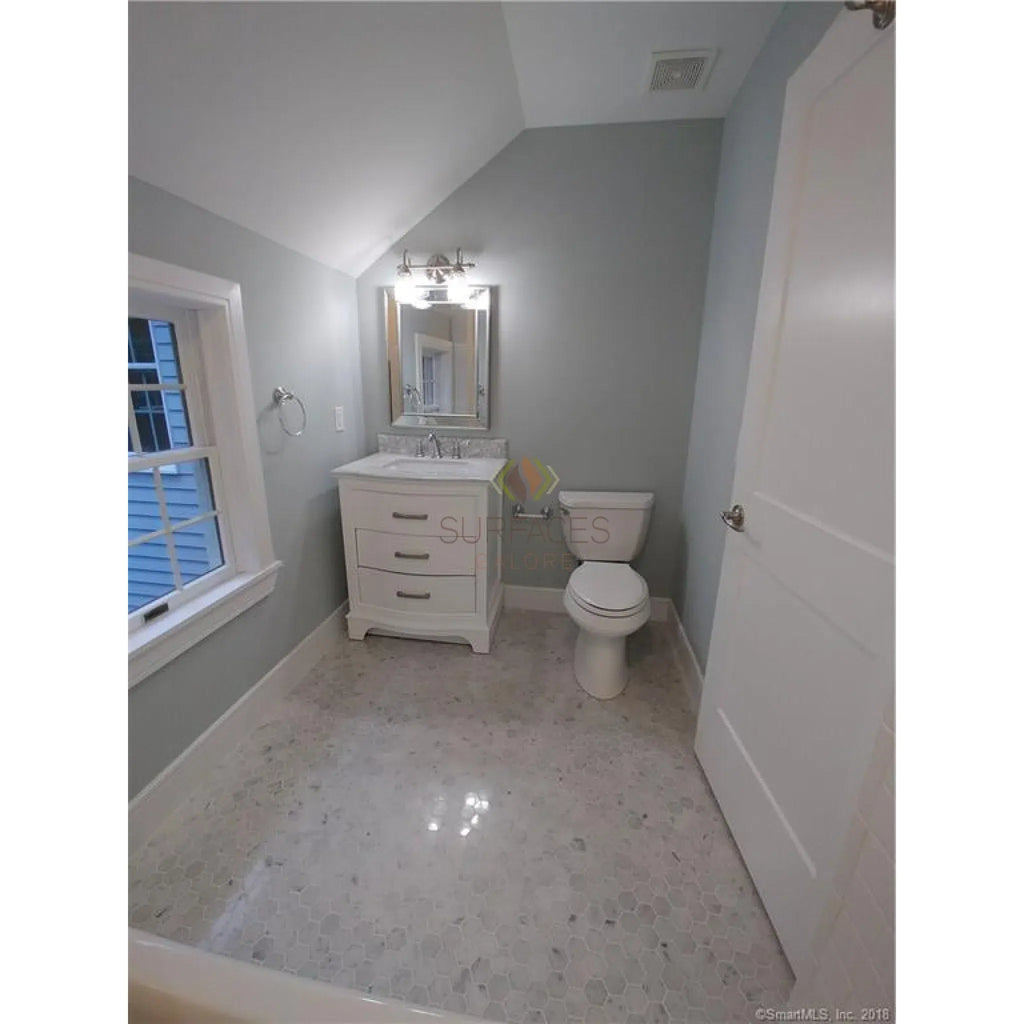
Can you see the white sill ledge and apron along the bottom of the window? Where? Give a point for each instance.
(155, 646)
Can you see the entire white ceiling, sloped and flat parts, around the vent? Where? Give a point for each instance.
(333, 129)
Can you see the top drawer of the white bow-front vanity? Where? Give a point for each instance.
(421, 516)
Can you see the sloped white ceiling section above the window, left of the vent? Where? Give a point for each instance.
(331, 129)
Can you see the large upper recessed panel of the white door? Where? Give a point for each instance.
(828, 447)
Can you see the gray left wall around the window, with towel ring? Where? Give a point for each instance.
(301, 323)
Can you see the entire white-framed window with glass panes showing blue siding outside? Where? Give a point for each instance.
(199, 539)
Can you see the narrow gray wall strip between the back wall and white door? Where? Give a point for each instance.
(750, 146)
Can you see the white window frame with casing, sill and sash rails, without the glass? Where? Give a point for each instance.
(217, 364)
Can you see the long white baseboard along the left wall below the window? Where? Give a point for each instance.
(152, 805)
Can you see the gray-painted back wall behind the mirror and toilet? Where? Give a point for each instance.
(598, 240)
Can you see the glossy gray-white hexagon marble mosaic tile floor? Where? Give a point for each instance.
(475, 833)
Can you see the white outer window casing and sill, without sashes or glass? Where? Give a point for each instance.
(232, 422)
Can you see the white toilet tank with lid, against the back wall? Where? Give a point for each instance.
(606, 526)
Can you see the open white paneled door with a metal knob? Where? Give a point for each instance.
(800, 669)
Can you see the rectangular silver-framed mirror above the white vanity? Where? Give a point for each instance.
(439, 361)
